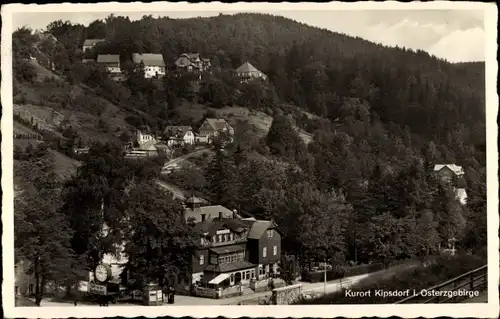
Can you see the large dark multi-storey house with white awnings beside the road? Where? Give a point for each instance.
(233, 250)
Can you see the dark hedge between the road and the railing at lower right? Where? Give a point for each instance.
(420, 277)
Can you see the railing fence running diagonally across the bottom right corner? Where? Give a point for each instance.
(447, 291)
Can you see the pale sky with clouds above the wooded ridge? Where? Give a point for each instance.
(454, 35)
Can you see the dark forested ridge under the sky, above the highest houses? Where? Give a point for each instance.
(312, 68)
